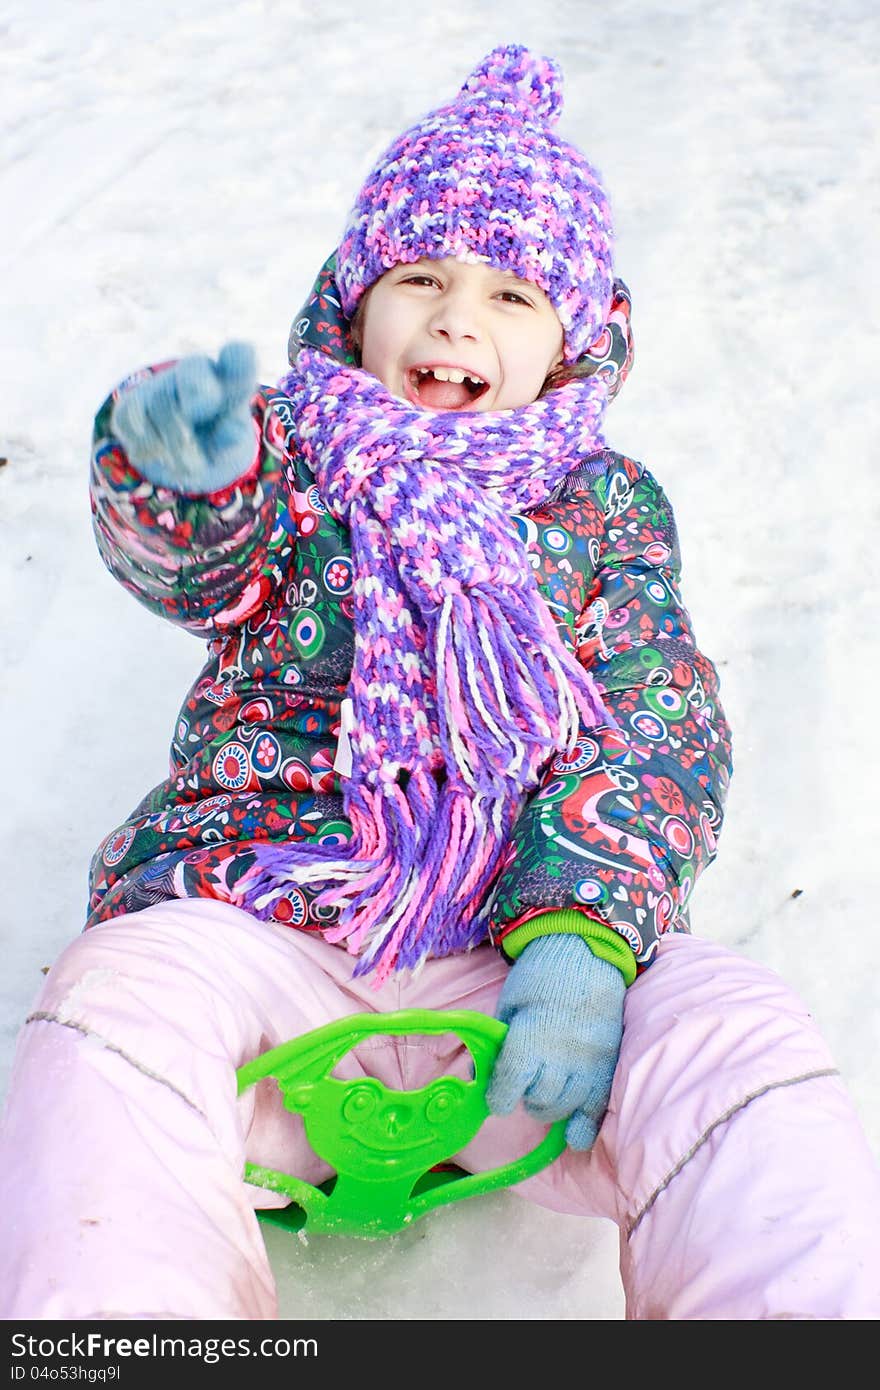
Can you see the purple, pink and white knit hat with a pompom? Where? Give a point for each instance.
(486, 179)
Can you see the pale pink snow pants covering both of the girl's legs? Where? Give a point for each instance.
(731, 1159)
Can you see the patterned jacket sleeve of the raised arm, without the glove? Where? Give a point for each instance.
(202, 562)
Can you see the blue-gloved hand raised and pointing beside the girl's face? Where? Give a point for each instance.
(190, 427)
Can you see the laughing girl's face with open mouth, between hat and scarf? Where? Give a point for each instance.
(448, 336)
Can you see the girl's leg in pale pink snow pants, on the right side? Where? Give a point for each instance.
(732, 1157)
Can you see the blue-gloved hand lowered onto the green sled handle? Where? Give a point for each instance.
(564, 1008)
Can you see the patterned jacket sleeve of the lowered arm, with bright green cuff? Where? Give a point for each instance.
(624, 825)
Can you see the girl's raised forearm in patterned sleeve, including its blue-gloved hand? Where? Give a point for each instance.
(184, 490)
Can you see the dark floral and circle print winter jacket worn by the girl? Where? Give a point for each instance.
(621, 828)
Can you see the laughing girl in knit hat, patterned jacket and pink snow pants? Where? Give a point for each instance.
(454, 747)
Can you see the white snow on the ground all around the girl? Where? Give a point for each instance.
(174, 177)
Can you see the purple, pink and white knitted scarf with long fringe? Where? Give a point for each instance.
(462, 689)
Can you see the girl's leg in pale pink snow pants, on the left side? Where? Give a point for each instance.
(124, 1142)
